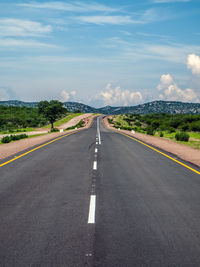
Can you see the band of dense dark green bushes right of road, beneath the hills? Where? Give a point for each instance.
(162, 122)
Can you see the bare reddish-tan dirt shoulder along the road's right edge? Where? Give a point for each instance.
(182, 151)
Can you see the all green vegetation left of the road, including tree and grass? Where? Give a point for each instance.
(15, 120)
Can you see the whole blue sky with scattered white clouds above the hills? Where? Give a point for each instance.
(100, 52)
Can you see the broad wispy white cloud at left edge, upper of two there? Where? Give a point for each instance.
(21, 28)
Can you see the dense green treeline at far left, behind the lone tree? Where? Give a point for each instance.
(14, 117)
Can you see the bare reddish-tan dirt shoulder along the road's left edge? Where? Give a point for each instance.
(7, 150)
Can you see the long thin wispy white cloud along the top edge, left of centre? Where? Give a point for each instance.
(74, 6)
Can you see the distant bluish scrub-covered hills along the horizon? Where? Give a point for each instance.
(151, 107)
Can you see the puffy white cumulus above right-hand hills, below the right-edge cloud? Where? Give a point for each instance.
(169, 90)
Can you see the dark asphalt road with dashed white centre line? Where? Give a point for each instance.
(98, 198)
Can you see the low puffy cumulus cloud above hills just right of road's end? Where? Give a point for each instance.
(117, 96)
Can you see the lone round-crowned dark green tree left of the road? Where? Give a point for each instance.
(51, 110)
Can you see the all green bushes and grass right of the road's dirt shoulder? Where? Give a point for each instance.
(182, 128)
